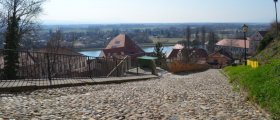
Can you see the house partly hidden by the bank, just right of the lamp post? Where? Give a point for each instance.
(256, 39)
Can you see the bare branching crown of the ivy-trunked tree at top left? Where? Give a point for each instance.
(26, 11)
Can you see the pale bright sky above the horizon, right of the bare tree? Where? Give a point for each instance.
(157, 11)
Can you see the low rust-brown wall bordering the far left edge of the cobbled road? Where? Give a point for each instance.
(176, 67)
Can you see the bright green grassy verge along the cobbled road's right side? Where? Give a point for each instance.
(262, 84)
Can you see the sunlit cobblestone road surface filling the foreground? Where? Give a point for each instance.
(204, 95)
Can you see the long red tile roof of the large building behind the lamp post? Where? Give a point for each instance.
(239, 43)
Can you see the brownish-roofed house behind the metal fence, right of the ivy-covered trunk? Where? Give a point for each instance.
(62, 60)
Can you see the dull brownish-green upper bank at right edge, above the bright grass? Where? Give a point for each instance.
(271, 52)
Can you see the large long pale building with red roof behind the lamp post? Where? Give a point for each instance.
(235, 46)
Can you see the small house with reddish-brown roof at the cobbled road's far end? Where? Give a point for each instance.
(220, 58)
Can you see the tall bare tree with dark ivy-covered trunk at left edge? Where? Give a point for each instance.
(18, 19)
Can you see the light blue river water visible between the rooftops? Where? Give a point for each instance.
(96, 53)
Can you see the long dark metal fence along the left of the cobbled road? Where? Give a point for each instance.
(39, 66)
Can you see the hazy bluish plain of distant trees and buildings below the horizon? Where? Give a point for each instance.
(88, 37)
